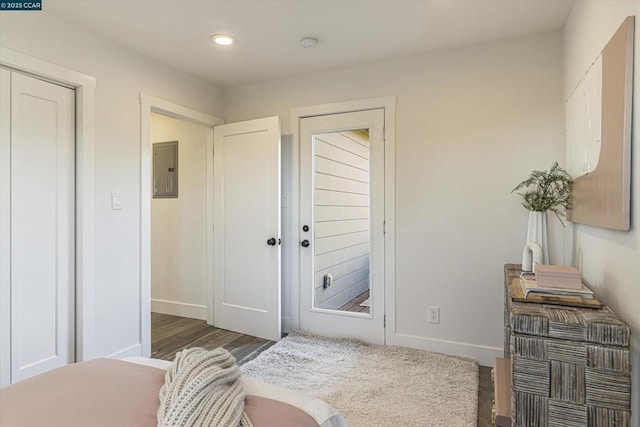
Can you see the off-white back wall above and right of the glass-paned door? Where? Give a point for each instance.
(471, 123)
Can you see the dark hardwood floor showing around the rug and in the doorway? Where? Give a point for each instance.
(170, 334)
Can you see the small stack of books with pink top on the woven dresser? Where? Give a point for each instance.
(555, 280)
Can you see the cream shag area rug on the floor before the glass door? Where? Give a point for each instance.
(373, 385)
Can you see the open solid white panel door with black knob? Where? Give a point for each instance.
(246, 218)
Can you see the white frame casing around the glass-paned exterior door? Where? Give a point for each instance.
(388, 104)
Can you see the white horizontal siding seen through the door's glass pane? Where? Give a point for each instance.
(341, 229)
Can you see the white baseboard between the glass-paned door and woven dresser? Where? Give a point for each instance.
(484, 355)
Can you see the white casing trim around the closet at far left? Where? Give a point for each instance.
(84, 86)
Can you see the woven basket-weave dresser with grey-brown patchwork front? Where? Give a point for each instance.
(570, 366)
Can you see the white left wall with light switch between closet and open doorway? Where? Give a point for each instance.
(121, 75)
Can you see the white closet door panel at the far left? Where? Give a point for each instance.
(42, 226)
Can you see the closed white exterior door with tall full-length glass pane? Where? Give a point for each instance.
(342, 204)
